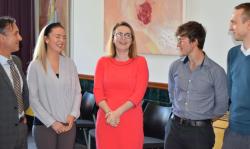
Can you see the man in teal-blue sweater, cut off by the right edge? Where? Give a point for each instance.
(237, 135)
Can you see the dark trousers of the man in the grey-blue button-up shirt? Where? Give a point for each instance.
(189, 137)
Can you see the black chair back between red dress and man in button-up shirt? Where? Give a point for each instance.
(155, 120)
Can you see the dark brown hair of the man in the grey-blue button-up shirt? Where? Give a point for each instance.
(193, 30)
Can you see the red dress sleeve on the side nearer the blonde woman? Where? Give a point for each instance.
(98, 81)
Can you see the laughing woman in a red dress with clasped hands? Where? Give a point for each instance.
(119, 86)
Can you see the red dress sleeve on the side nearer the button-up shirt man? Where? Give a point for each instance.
(141, 82)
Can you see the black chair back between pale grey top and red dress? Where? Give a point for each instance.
(87, 106)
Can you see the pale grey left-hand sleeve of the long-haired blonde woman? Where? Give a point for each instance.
(37, 108)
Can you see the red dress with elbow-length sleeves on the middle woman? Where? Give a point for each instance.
(117, 82)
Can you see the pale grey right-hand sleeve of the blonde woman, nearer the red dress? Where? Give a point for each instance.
(77, 93)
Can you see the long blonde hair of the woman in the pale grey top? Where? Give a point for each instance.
(40, 51)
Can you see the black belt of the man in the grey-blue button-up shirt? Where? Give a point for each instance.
(194, 123)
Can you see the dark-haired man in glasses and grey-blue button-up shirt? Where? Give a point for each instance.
(198, 91)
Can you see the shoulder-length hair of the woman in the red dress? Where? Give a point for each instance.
(111, 49)
